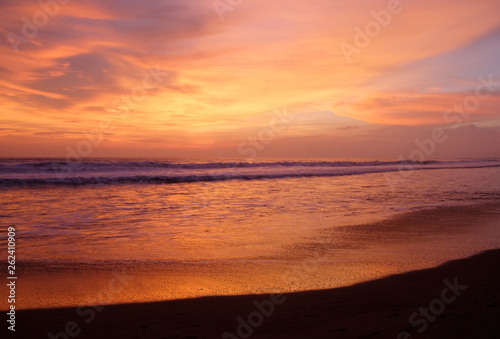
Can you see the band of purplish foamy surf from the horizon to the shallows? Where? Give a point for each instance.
(56, 172)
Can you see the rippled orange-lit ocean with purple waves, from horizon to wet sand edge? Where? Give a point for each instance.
(99, 210)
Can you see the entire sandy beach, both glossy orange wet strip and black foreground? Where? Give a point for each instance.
(332, 266)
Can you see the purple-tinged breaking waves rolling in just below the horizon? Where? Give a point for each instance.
(276, 171)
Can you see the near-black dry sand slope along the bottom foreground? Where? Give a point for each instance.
(374, 309)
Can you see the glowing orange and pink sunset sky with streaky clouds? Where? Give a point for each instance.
(412, 79)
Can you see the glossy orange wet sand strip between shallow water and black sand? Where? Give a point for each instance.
(324, 261)
